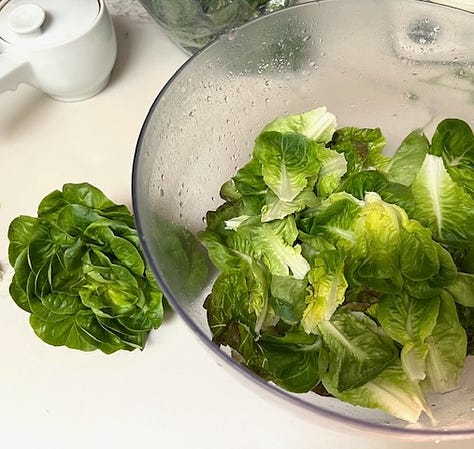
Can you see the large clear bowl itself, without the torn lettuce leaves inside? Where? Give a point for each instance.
(396, 64)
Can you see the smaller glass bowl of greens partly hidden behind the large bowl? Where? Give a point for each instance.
(192, 24)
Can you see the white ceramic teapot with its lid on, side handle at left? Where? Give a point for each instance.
(66, 48)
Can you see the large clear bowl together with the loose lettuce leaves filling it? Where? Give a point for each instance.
(304, 192)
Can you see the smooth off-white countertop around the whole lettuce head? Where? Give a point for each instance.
(173, 394)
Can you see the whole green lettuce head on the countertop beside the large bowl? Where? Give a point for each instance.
(81, 274)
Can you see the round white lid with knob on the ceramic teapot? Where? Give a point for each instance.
(46, 23)
